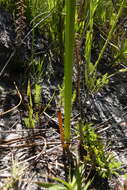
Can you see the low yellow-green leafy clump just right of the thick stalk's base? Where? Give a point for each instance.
(100, 160)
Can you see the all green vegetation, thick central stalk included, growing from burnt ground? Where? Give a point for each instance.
(89, 37)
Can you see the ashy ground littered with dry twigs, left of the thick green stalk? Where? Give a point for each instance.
(37, 151)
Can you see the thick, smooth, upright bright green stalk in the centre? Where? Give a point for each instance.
(68, 64)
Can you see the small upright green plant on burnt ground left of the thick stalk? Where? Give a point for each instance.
(34, 99)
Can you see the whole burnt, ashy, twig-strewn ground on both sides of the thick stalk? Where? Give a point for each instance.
(37, 153)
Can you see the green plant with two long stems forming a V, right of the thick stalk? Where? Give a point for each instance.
(93, 82)
